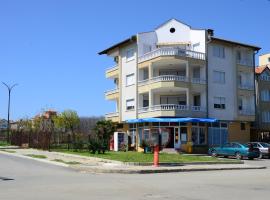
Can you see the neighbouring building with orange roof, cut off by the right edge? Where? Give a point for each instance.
(262, 128)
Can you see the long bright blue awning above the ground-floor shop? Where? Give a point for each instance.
(184, 119)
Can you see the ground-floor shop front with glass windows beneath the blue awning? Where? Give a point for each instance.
(190, 137)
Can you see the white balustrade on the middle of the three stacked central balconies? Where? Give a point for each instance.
(164, 78)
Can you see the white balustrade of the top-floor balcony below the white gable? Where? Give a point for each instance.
(171, 51)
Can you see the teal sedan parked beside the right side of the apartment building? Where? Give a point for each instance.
(235, 149)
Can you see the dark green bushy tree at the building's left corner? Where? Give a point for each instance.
(103, 131)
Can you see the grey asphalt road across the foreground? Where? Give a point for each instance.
(33, 180)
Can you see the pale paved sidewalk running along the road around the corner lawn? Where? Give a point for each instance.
(98, 165)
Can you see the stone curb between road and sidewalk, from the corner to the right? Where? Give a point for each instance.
(152, 171)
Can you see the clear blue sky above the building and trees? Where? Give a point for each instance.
(49, 47)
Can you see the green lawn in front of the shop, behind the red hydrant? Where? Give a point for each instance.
(145, 158)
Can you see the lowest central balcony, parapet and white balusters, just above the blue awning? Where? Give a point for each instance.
(172, 110)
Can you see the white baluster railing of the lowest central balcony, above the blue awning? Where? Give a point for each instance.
(169, 107)
